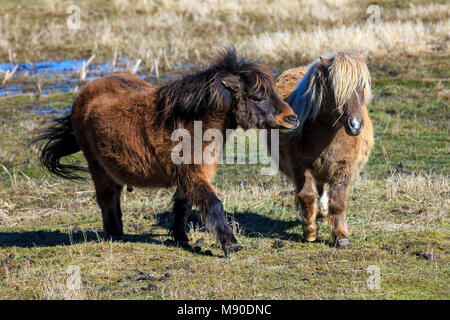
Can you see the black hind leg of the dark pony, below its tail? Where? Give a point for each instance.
(108, 198)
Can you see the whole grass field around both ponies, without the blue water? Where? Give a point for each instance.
(398, 208)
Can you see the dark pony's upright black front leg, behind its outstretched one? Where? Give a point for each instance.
(181, 209)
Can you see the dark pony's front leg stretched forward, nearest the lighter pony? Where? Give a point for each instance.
(202, 194)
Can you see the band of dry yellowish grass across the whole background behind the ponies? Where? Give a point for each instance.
(280, 33)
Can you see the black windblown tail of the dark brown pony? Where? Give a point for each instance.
(59, 141)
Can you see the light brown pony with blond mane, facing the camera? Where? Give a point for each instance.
(333, 141)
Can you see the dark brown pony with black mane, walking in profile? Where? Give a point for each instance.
(124, 126)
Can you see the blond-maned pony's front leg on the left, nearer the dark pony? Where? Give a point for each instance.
(306, 198)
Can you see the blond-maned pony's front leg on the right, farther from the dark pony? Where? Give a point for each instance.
(336, 209)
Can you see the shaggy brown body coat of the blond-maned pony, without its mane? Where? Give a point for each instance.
(323, 155)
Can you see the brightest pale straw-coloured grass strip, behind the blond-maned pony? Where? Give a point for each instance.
(391, 39)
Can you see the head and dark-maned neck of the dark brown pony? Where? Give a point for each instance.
(241, 88)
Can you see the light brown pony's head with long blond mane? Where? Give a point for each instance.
(338, 86)
